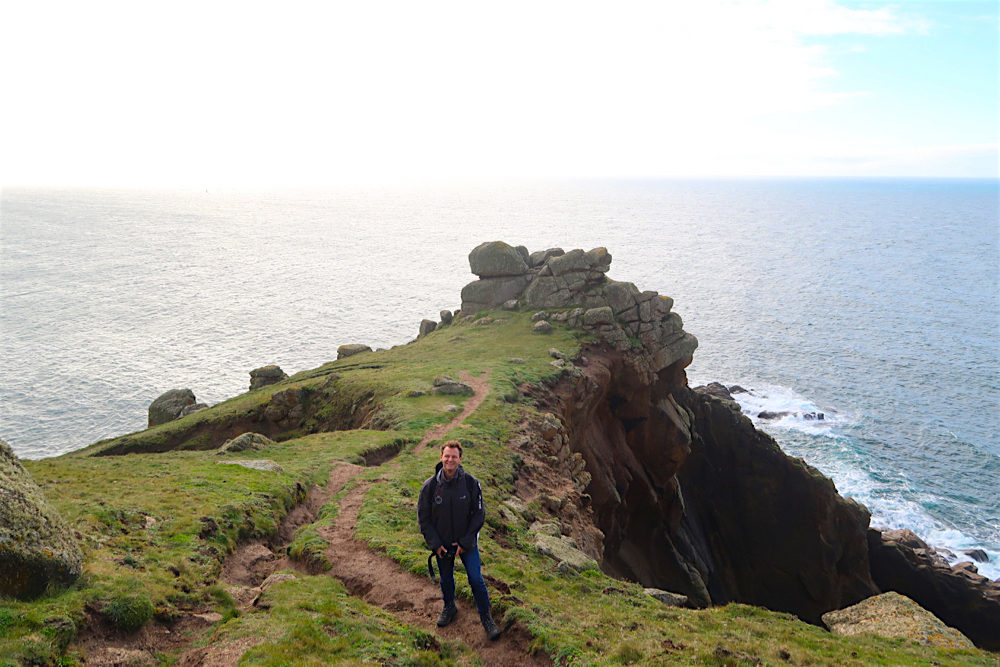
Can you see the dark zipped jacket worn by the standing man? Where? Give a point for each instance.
(453, 514)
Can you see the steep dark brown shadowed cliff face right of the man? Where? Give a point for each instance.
(693, 499)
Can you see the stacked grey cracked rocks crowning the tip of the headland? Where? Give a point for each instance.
(617, 311)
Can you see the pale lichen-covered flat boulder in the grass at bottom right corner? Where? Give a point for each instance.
(895, 615)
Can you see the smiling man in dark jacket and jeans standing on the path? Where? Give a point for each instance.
(451, 512)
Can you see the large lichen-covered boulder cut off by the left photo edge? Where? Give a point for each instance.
(36, 546)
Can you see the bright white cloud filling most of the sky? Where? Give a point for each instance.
(318, 92)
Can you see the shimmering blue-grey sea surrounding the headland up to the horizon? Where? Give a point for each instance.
(873, 302)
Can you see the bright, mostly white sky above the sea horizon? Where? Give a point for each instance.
(303, 93)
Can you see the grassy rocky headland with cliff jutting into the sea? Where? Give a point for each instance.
(613, 490)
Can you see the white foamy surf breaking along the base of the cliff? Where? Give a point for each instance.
(827, 444)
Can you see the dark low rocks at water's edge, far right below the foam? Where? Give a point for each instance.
(958, 595)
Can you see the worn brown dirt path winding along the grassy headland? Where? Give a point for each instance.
(370, 576)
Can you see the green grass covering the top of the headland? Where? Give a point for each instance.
(160, 524)
